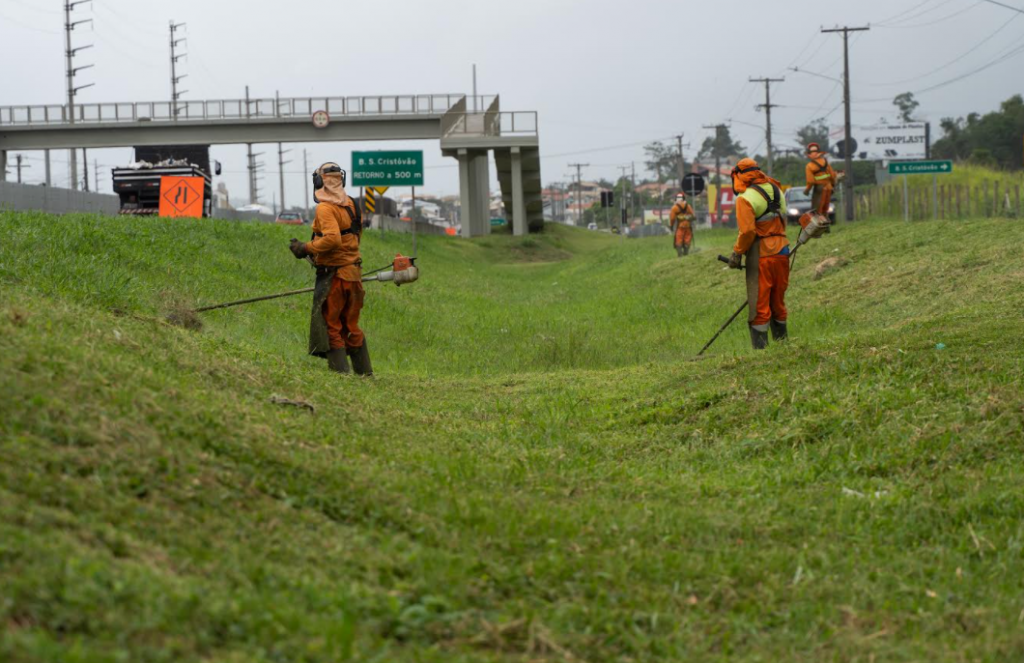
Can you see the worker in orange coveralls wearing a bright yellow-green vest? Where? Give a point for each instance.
(761, 220)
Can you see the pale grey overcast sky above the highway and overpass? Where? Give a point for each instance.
(602, 74)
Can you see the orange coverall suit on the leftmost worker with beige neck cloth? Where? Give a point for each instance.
(336, 245)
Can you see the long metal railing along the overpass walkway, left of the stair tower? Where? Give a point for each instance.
(232, 110)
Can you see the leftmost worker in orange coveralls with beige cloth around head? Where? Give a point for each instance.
(334, 330)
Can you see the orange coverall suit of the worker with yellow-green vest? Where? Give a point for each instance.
(774, 261)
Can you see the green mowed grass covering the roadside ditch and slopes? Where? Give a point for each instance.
(541, 471)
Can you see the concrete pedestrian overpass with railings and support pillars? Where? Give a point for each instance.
(466, 135)
